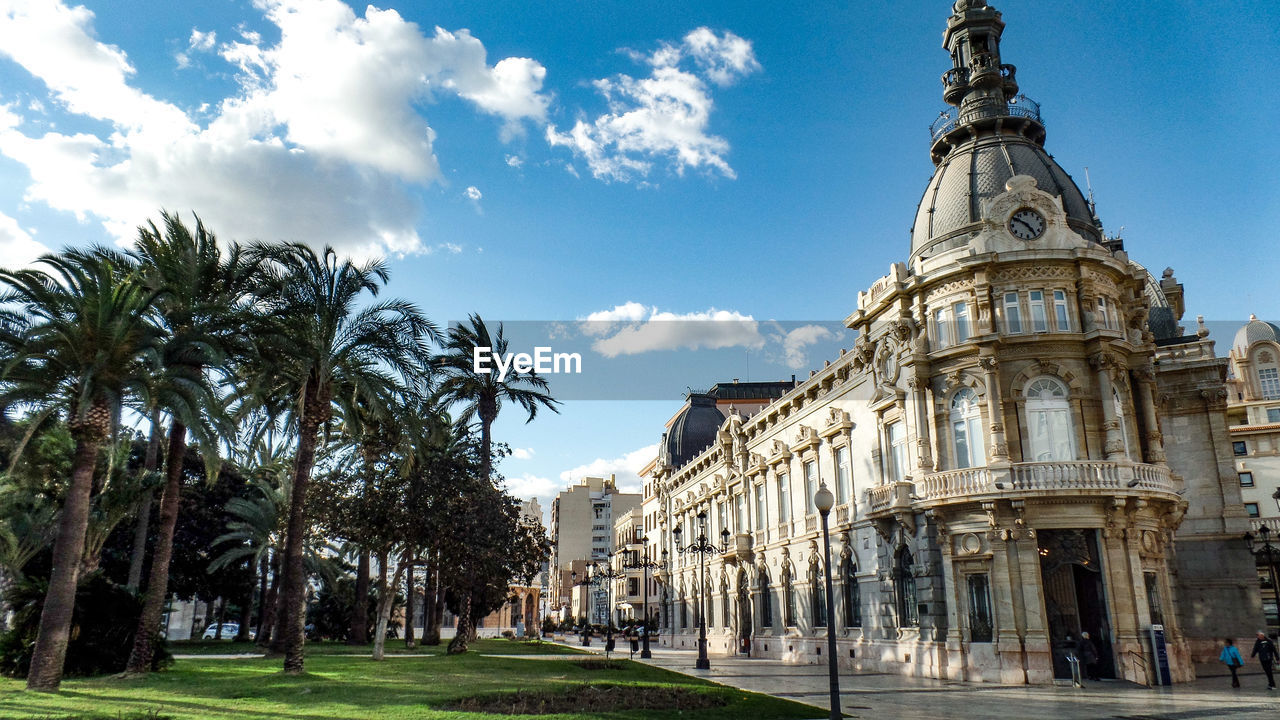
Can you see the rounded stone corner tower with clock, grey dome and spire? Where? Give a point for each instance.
(1020, 400)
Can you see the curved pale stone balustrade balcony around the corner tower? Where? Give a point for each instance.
(1022, 481)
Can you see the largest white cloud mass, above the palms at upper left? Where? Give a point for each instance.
(321, 143)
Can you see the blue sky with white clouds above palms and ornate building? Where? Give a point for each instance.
(760, 161)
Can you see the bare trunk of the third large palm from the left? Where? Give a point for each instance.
(294, 589)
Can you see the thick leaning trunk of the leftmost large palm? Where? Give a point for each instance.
(56, 618)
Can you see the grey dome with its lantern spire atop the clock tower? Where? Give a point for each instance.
(990, 136)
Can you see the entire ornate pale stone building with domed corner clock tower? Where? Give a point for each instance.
(996, 443)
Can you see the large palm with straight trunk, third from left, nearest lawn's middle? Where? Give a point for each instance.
(326, 352)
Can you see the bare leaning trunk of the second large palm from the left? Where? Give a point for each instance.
(158, 584)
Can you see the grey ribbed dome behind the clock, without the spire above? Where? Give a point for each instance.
(977, 171)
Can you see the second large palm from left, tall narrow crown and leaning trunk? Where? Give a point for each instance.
(204, 313)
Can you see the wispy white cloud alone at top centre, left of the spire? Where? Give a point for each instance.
(665, 116)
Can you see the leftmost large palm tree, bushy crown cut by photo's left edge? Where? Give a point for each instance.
(83, 338)
